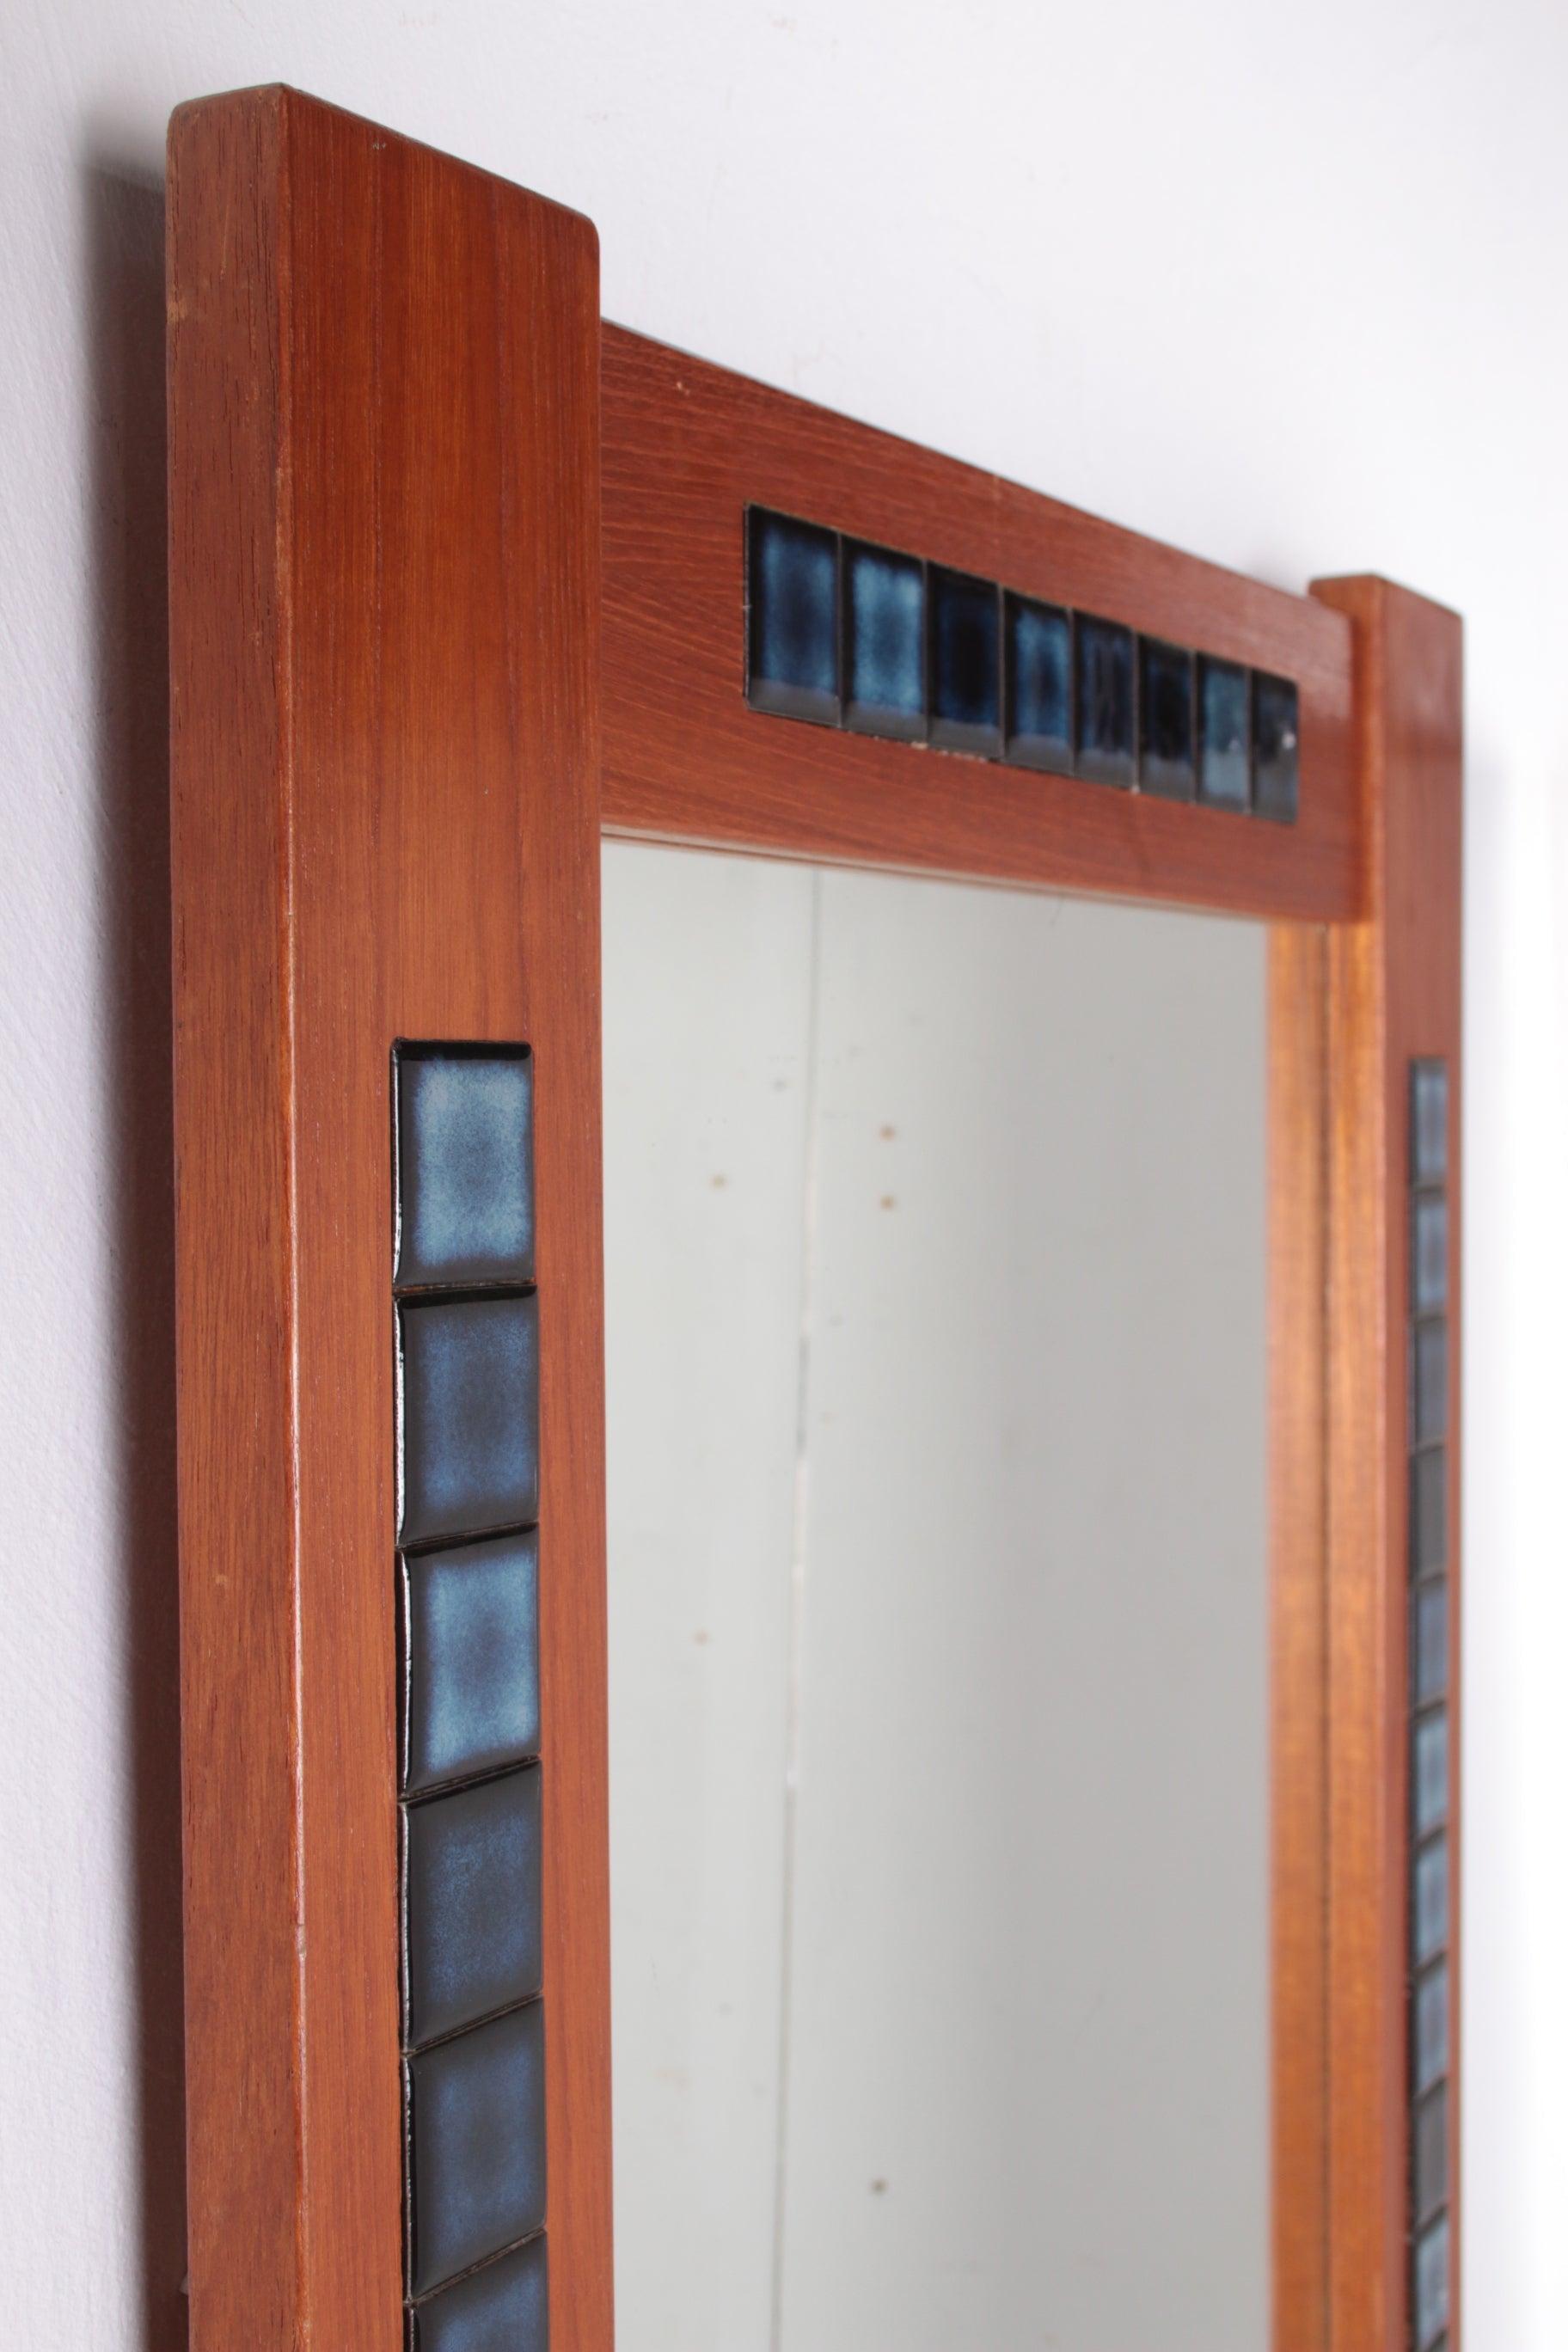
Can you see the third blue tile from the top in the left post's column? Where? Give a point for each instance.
(469, 1659)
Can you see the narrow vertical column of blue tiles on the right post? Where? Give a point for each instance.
(1430, 1892)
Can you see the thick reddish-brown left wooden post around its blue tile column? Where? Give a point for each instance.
(384, 568)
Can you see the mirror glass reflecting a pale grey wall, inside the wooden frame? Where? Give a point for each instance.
(939, 1615)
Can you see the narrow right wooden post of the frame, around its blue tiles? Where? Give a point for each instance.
(1393, 994)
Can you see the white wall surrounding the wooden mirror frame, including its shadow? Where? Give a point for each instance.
(1282, 286)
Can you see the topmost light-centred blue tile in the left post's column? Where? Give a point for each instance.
(464, 1168)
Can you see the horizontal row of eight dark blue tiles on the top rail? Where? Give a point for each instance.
(883, 643)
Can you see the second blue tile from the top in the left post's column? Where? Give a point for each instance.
(469, 1417)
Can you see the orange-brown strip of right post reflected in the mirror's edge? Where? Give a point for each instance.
(1299, 1631)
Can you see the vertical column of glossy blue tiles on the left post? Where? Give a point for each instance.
(469, 1699)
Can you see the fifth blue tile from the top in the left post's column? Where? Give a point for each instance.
(476, 2146)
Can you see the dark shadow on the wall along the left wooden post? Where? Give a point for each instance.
(128, 457)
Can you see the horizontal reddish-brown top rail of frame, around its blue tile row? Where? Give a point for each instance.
(685, 759)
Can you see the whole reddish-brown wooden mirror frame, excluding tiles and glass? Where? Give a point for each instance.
(396, 744)
